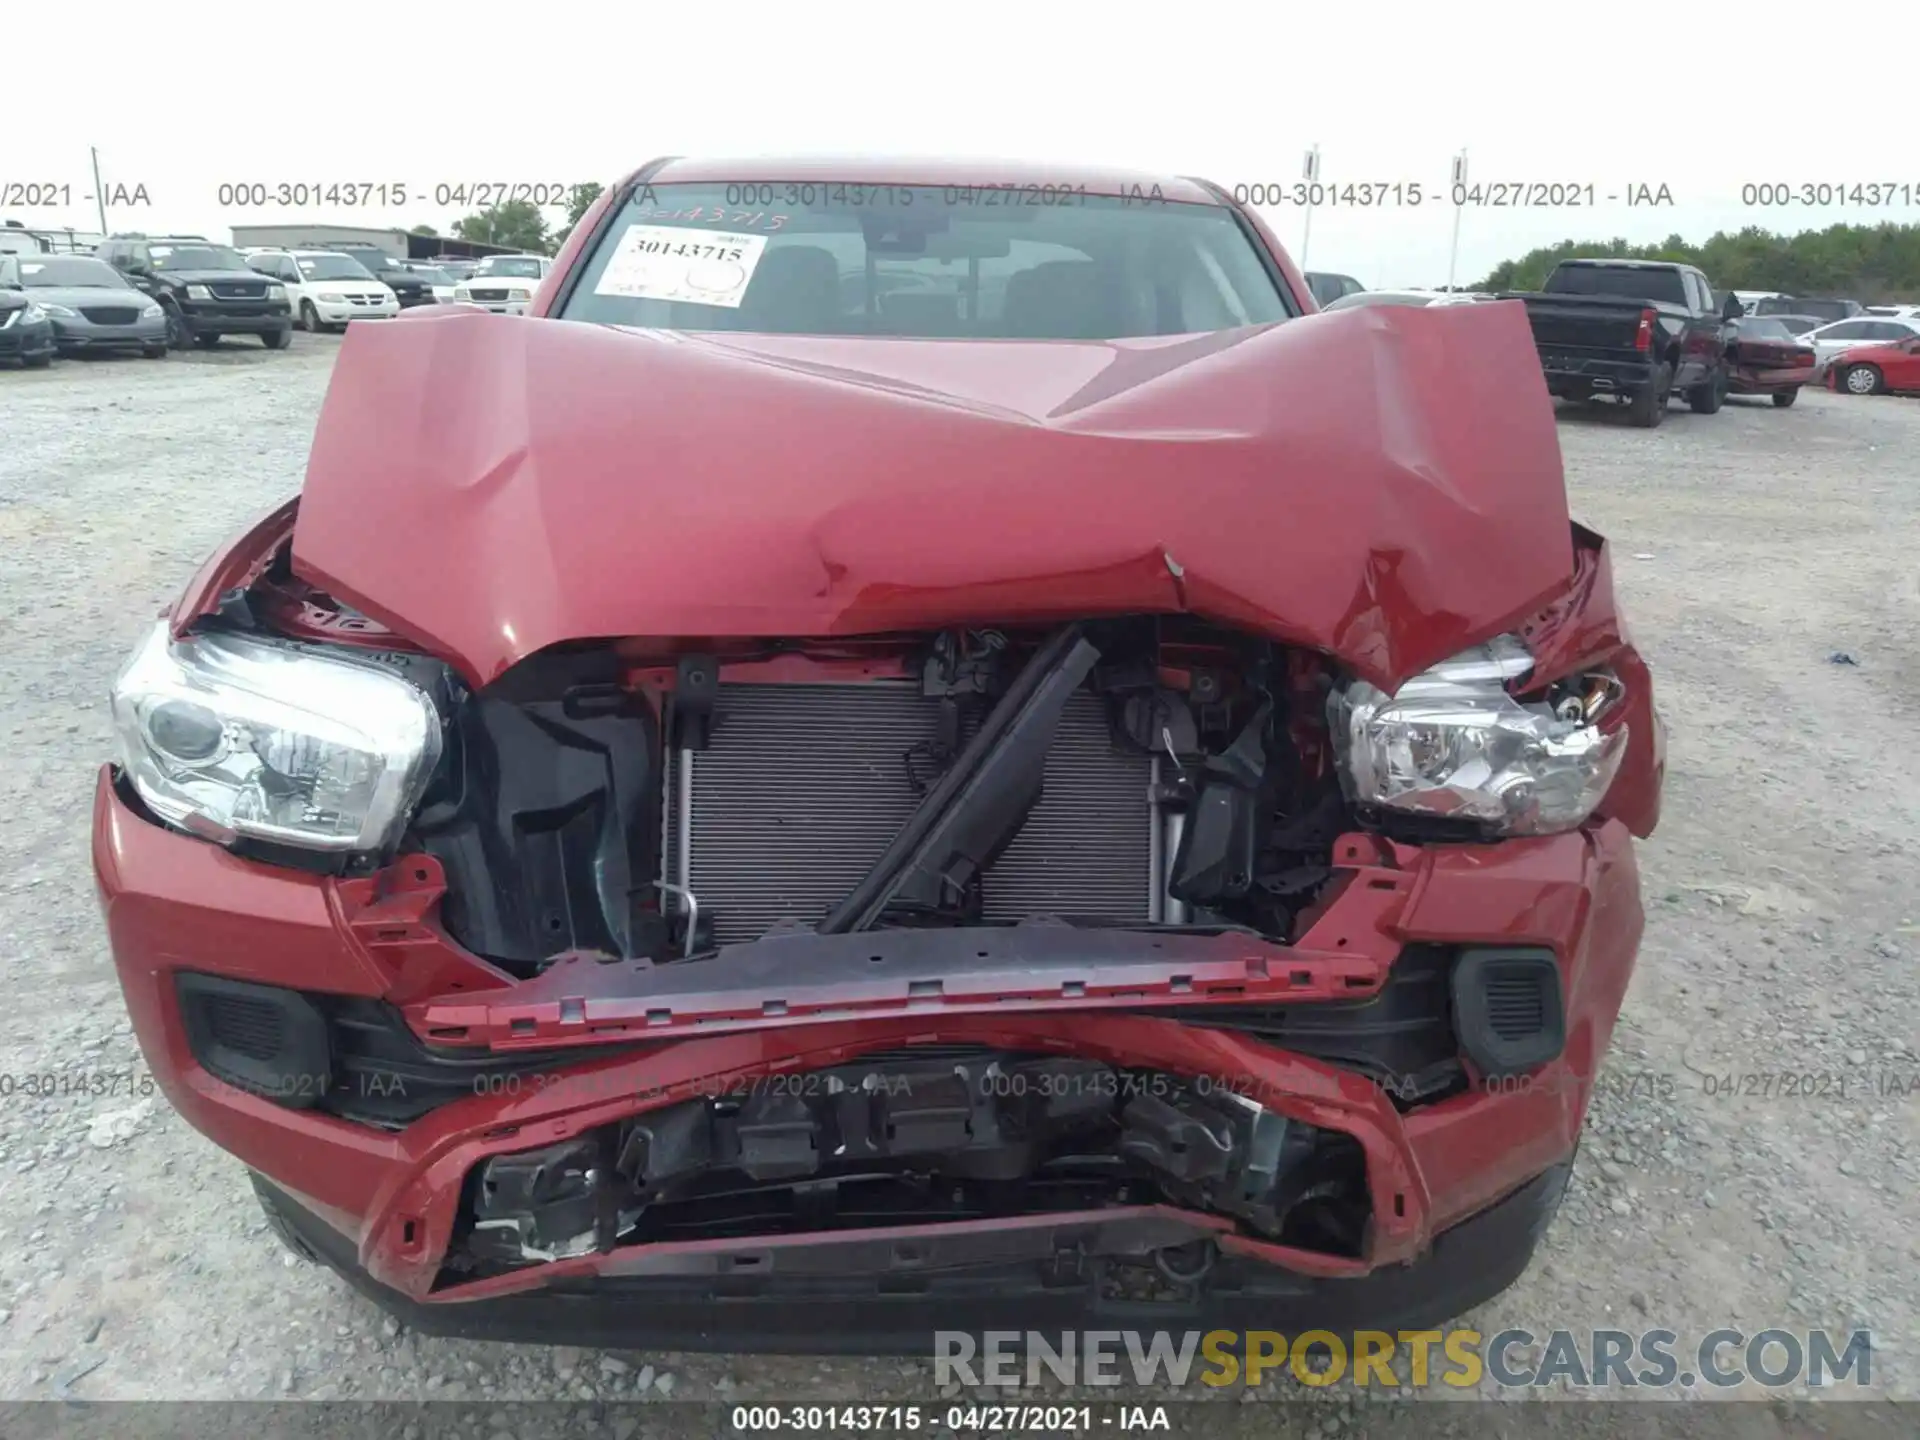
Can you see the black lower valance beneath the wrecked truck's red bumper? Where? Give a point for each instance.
(880, 1295)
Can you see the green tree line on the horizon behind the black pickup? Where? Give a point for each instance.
(1873, 264)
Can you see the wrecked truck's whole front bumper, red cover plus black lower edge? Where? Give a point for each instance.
(387, 1201)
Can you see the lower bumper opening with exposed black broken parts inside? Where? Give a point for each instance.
(917, 1138)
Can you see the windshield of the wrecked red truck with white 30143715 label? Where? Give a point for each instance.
(940, 262)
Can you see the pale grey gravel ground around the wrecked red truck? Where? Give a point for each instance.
(1767, 560)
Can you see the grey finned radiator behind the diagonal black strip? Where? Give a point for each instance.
(804, 788)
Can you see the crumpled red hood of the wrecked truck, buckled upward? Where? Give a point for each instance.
(1381, 485)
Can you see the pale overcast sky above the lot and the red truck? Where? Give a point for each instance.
(1610, 97)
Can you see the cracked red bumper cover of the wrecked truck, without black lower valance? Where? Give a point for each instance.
(391, 1197)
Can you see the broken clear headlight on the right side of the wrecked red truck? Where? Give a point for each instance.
(1452, 742)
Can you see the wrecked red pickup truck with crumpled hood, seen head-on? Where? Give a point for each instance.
(917, 750)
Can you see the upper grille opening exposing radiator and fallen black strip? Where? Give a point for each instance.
(1134, 773)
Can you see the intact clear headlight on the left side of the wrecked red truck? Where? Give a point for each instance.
(231, 736)
